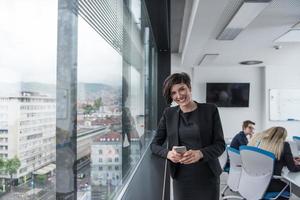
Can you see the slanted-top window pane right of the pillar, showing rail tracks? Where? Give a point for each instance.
(99, 117)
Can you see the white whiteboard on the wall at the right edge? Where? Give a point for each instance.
(285, 104)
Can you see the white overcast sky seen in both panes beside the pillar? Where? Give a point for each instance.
(28, 35)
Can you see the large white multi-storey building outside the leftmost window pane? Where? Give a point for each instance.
(27, 131)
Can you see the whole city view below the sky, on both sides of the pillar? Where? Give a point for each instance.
(28, 119)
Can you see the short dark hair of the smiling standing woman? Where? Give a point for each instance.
(173, 79)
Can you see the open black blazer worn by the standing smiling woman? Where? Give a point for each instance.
(212, 139)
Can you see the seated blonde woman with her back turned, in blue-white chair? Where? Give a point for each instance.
(273, 140)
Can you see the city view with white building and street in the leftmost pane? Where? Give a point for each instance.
(27, 142)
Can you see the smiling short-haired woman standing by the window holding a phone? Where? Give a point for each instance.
(195, 173)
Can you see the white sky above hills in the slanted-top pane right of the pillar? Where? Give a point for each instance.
(97, 60)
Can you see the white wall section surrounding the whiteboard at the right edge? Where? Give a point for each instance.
(282, 77)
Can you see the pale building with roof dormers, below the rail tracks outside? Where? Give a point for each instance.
(106, 165)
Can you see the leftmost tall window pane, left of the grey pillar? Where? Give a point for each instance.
(28, 35)
